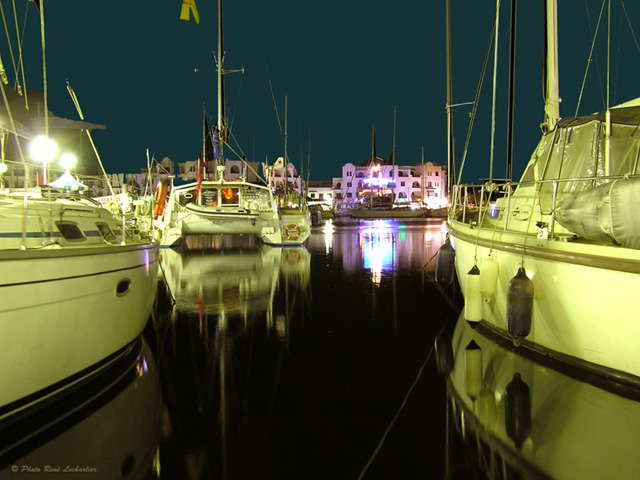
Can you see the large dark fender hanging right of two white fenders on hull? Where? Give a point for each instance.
(519, 306)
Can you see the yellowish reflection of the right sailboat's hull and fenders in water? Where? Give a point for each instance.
(518, 418)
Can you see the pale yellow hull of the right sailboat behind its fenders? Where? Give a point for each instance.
(583, 309)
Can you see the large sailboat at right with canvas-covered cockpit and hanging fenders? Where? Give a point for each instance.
(552, 262)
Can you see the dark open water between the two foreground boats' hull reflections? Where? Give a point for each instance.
(311, 363)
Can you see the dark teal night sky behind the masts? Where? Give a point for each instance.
(145, 74)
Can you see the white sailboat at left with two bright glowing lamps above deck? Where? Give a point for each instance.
(77, 286)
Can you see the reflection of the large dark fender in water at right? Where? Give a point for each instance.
(518, 410)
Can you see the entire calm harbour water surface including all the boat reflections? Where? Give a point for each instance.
(319, 363)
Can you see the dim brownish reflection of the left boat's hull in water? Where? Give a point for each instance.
(107, 426)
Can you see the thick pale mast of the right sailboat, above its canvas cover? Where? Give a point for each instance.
(551, 88)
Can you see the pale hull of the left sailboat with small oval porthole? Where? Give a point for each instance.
(63, 310)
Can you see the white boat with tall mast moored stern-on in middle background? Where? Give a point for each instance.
(221, 205)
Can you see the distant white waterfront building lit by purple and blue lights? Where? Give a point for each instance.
(418, 186)
